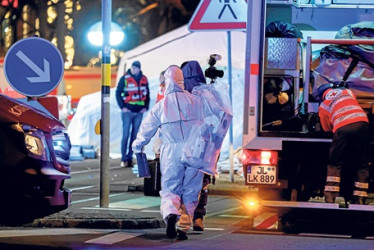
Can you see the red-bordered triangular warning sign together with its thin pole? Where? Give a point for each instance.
(224, 15)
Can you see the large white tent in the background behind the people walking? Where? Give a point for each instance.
(175, 47)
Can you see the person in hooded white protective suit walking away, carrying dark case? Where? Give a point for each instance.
(175, 115)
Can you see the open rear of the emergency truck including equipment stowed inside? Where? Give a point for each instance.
(285, 151)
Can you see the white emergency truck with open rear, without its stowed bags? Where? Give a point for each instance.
(285, 152)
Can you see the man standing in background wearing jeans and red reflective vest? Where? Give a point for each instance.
(132, 95)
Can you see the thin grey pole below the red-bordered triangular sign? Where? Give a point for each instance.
(231, 150)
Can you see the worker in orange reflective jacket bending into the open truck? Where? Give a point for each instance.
(349, 154)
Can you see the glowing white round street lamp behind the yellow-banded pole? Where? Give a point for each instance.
(95, 34)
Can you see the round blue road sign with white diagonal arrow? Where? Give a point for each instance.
(33, 66)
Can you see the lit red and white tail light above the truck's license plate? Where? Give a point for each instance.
(263, 157)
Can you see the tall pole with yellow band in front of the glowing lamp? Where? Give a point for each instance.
(105, 103)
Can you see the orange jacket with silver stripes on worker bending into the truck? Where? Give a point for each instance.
(339, 108)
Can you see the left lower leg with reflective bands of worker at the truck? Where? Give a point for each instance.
(332, 187)
